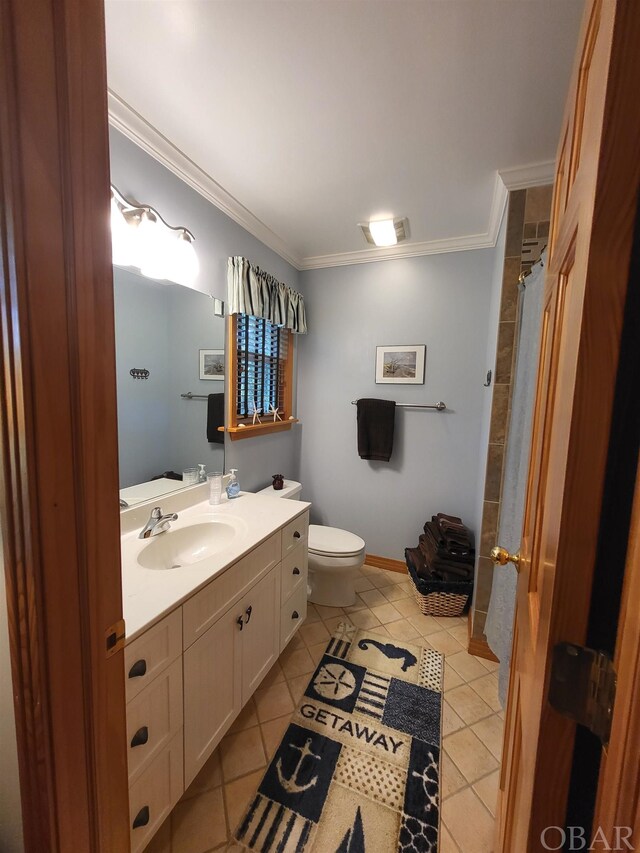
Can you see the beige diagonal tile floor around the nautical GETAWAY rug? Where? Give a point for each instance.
(211, 808)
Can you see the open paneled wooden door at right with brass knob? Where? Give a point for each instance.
(591, 234)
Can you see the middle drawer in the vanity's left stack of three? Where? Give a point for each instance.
(153, 718)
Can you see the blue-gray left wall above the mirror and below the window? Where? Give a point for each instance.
(142, 179)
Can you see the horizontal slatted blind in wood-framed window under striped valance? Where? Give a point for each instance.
(261, 350)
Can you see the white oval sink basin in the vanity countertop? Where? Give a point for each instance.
(187, 545)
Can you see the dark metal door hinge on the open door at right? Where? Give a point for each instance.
(583, 687)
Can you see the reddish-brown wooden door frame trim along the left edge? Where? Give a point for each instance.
(59, 486)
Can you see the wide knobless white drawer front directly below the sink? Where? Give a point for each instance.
(202, 610)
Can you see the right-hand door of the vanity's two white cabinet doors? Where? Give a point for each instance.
(261, 633)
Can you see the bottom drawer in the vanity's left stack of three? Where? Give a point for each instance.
(155, 793)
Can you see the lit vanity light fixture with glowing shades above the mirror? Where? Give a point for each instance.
(141, 238)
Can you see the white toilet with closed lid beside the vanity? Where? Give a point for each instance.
(334, 557)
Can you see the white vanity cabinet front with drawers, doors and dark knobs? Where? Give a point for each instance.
(190, 674)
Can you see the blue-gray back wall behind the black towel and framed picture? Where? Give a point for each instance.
(441, 301)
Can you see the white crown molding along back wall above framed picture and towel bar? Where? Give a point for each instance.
(431, 247)
